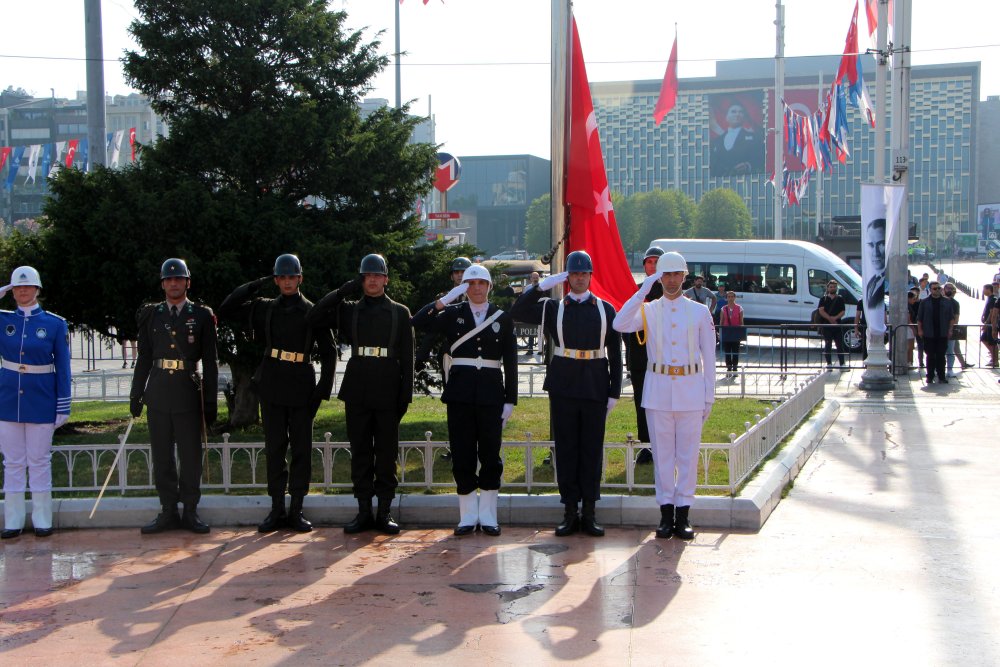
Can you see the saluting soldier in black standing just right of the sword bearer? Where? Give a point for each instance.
(286, 383)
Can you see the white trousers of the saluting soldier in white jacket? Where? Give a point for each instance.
(676, 439)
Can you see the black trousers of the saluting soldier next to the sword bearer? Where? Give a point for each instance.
(287, 427)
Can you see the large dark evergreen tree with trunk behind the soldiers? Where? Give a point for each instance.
(262, 100)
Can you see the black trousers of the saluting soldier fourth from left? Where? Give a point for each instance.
(374, 438)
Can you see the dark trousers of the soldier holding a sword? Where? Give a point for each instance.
(183, 429)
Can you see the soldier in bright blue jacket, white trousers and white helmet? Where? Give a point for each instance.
(34, 401)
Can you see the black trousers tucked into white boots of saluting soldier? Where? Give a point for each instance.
(474, 432)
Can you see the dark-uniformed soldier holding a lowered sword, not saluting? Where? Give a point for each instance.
(174, 336)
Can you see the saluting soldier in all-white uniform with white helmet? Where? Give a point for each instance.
(679, 385)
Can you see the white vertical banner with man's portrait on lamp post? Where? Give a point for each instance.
(880, 206)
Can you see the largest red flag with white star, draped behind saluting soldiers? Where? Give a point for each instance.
(592, 225)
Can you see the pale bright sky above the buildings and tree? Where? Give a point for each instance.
(482, 66)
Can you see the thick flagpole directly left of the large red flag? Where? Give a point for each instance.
(559, 121)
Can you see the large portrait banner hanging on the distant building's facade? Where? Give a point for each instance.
(736, 124)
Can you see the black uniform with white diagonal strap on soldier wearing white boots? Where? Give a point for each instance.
(475, 394)
